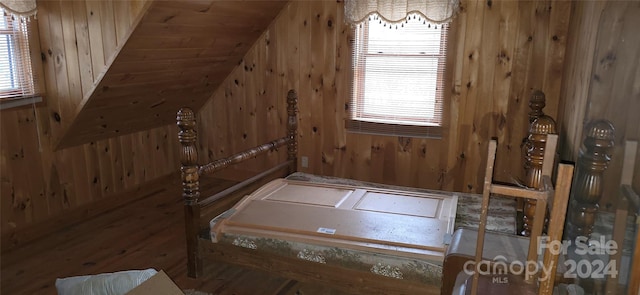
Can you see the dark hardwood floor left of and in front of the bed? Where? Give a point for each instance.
(147, 233)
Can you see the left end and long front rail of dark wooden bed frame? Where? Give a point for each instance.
(347, 279)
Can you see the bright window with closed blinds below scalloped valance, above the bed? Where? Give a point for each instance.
(398, 78)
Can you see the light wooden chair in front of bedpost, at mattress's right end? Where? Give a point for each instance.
(510, 283)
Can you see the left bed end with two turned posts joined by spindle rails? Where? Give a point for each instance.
(191, 172)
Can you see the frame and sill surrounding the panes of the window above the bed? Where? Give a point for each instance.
(361, 123)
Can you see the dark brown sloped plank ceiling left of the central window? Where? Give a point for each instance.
(176, 56)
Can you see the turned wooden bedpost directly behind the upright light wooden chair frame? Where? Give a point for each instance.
(539, 130)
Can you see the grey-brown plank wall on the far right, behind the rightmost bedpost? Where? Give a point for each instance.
(602, 81)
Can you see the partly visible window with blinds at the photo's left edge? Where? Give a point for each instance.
(17, 82)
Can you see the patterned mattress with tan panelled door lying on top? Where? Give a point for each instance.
(387, 230)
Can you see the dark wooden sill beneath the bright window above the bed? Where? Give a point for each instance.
(366, 127)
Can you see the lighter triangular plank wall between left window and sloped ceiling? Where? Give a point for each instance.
(78, 39)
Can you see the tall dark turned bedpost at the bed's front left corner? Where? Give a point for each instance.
(190, 187)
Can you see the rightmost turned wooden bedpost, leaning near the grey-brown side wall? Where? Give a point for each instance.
(588, 184)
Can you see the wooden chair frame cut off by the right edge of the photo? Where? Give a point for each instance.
(628, 205)
